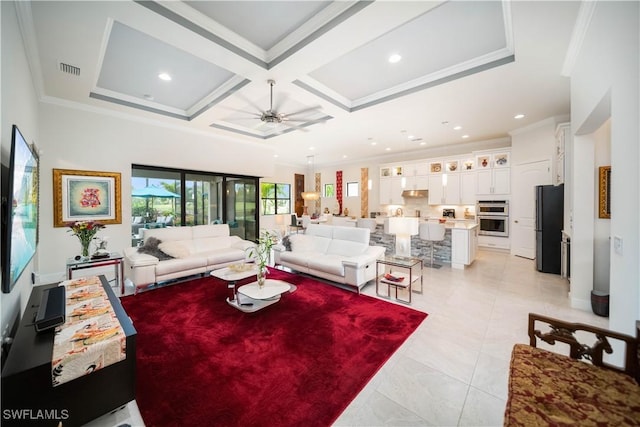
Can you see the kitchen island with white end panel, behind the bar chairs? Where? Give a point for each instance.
(458, 248)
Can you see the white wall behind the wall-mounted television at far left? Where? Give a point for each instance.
(18, 106)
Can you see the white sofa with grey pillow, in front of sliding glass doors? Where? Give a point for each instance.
(195, 250)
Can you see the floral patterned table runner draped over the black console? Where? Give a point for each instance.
(91, 337)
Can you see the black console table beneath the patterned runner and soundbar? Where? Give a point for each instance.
(27, 387)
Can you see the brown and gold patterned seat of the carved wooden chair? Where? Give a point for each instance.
(547, 388)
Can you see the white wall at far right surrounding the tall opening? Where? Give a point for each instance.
(606, 73)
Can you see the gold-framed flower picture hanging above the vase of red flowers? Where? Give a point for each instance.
(86, 196)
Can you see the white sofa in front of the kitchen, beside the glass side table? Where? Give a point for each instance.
(339, 254)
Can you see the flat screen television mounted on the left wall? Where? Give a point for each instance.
(19, 210)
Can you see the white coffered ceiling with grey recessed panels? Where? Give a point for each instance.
(465, 68)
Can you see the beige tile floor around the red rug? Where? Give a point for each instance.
(453, 370)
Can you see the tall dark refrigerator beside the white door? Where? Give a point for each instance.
(549, 224)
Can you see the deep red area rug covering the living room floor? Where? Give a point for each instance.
(201, 362)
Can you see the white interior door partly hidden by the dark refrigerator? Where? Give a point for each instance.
(523, 206)
